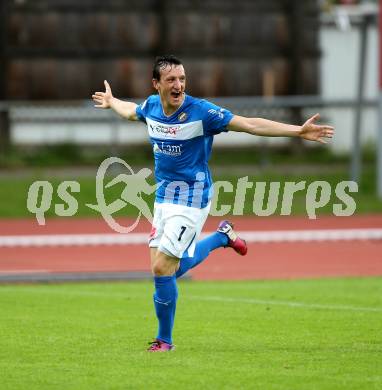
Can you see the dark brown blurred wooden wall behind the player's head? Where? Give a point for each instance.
(64, 49)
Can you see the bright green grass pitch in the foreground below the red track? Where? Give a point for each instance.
(303, 334)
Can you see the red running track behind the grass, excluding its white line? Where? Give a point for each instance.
(264, 260)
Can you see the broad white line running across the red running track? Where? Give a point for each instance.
(141, 238)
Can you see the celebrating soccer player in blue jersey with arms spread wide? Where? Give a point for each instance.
(181, 130)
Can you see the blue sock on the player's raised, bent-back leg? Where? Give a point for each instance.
(202, 250)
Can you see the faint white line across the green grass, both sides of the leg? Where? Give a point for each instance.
(251, 301)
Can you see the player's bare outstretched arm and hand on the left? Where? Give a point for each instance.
(107, 100)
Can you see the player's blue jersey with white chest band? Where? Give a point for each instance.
(182, 145)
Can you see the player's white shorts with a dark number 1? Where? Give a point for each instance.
(176, 228)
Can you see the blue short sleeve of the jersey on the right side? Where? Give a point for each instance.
(215, 118)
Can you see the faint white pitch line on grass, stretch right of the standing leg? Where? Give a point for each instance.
(253, 301)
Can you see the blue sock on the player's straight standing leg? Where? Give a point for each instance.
(165, 296)
